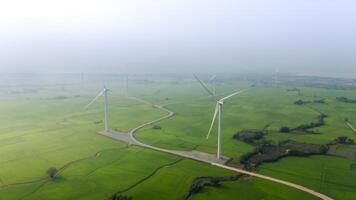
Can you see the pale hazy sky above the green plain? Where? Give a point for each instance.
(130, 36)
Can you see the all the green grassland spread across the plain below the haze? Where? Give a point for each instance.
(39, 130)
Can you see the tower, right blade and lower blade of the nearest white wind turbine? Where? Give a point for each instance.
(218, 111)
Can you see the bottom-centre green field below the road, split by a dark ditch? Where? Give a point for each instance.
(168, 182)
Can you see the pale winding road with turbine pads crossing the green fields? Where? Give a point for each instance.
(199, 156)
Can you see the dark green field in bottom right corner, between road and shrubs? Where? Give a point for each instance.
(332, 176)
